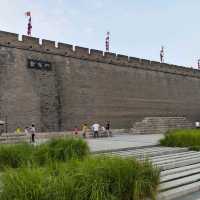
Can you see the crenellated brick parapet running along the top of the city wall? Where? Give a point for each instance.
(46, 46)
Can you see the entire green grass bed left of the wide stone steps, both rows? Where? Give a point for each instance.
(65, 170)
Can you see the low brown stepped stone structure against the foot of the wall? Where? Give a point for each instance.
(160, 125)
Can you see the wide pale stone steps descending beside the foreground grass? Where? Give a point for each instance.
(180, 169)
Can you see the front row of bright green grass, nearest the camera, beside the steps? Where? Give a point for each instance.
(93, 178)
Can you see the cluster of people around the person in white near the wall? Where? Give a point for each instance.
(97, 130)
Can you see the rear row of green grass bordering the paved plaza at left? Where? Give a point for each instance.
(63, 150)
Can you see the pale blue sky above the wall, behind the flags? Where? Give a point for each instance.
(138, 27)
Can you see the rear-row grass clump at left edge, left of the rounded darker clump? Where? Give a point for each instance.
(15, 156)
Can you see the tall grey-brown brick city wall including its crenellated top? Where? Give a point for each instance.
(86, 85)
